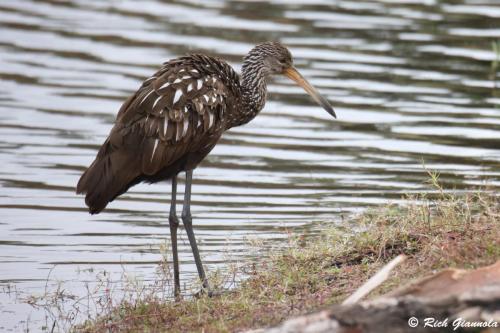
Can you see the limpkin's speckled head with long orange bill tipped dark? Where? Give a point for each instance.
(277, 59)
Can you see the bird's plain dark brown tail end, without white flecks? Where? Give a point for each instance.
(110, 175)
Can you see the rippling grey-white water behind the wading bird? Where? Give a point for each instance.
(411, 81)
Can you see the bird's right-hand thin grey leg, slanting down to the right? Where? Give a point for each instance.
(188, 224)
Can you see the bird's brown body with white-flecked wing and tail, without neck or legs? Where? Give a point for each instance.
(175, 118)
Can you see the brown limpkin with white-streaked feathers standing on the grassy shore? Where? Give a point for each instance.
(174, 120)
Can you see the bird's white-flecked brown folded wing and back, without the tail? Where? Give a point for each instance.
(180, 109)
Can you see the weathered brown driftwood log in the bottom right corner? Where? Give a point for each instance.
(450, 301)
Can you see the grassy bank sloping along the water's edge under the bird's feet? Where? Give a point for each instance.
(435, 230)
